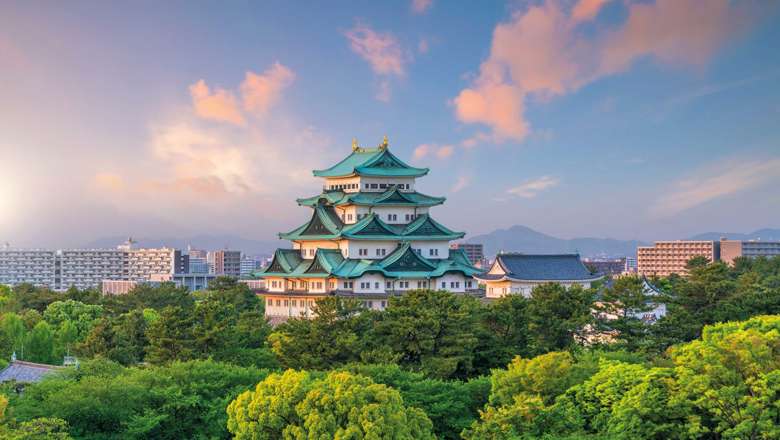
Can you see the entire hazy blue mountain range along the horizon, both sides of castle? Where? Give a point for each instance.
(515, 239)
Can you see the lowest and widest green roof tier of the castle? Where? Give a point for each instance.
(403, 262)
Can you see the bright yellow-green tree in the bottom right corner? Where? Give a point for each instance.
(733, 375)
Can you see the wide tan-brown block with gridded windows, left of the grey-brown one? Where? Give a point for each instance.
(670, 257)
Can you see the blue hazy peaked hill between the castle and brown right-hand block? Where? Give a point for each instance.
(524, 239)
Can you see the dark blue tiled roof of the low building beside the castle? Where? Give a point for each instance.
(528, 267)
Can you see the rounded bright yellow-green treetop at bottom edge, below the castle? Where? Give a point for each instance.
(293, 405)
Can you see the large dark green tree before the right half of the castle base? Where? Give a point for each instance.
(430, 331)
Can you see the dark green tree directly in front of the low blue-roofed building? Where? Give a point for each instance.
(557, 316)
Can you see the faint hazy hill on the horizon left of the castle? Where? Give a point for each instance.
(208, 242)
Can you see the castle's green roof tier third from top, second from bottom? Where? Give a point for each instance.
(326, 225)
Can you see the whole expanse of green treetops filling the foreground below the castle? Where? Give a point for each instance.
(162, 363)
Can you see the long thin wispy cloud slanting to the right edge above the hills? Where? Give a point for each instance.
(719, 180)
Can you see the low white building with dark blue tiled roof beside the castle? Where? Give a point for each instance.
(515, 273)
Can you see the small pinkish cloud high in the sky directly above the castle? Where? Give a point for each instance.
(383, 53)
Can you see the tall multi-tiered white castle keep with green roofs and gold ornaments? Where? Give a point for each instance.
(371, 236)
